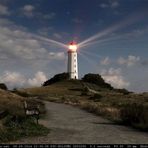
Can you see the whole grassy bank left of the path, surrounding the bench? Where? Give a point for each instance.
(13, 123)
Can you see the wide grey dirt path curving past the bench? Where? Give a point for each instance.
(72, 125)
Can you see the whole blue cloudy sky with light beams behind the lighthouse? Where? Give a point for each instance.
(112, 36)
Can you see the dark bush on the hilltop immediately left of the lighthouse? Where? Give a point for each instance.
(56, 78)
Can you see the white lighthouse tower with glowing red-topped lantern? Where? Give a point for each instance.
(72, 61)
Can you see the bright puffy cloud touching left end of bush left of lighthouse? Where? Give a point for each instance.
(39, 78)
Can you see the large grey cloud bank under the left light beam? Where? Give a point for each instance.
(20, 49)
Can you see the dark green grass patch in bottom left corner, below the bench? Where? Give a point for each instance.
(15, 128)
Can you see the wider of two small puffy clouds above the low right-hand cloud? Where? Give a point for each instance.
(130, 61)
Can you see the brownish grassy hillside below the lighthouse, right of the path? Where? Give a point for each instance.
(117, 105)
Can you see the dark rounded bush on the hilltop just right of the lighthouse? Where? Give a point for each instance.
(96, 79)
